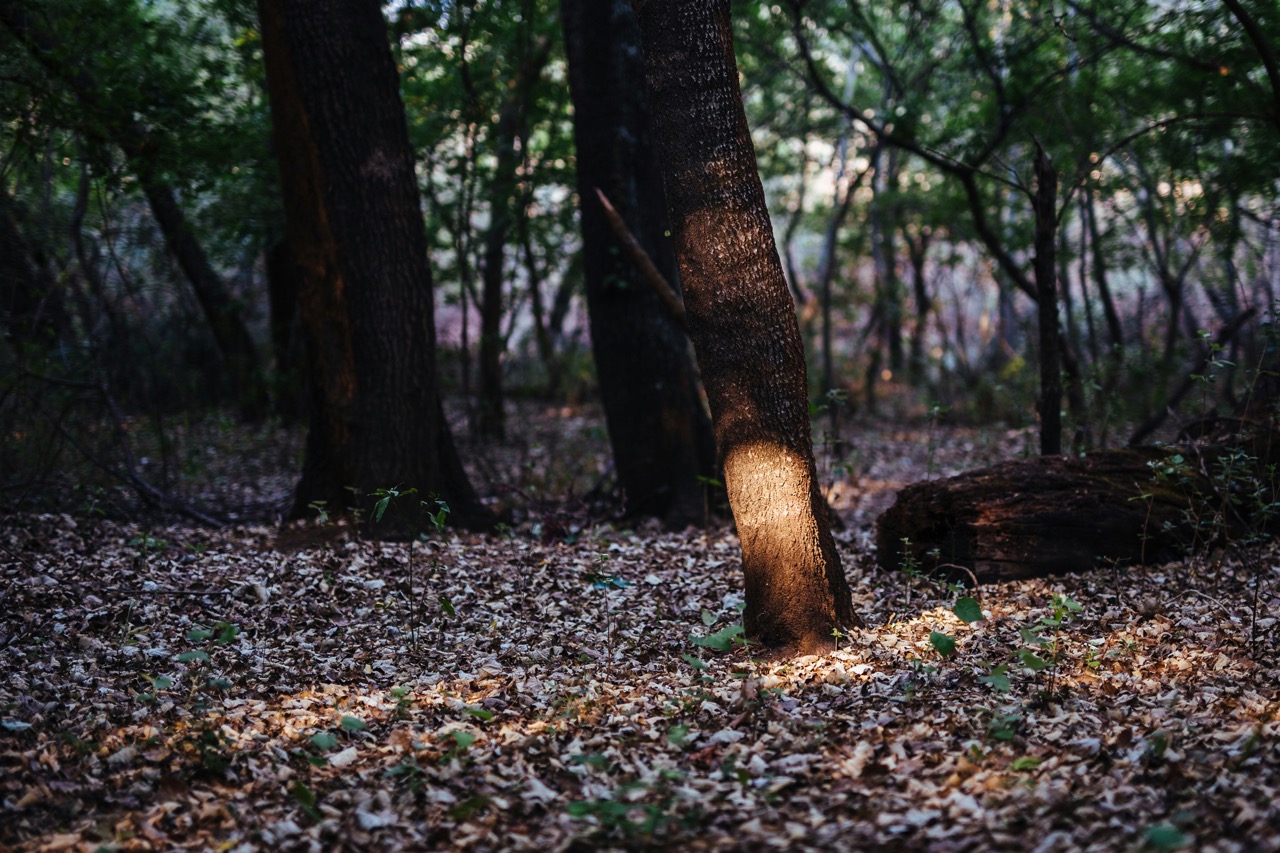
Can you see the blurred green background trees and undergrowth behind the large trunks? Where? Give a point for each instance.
(145, 286)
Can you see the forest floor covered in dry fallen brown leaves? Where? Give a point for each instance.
(570, 685)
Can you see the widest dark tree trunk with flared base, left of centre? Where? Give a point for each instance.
(355, 229)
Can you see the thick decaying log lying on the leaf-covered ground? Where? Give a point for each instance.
(1055, 516)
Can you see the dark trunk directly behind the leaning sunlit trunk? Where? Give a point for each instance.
(661, 435)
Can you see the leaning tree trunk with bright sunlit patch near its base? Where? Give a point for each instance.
(743, 326)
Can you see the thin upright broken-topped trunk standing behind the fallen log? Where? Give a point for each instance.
(1046, 304)
